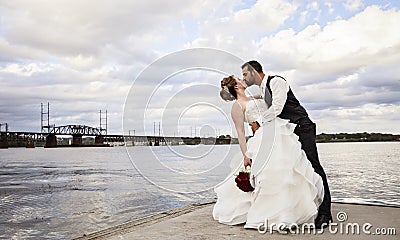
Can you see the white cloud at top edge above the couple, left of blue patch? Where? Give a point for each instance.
(237, 31)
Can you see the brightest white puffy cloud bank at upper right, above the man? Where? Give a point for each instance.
(341, 45)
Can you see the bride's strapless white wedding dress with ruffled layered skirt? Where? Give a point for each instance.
(287, 190)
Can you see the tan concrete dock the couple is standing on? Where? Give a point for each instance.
(351, 221)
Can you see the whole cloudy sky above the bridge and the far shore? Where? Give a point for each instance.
(341, 58)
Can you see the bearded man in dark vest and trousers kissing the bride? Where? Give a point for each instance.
(282, 103)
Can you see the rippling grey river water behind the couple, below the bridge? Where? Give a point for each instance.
(66, 192)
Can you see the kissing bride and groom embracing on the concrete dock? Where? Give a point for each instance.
(290, 185)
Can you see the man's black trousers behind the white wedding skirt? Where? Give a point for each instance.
(306, 130)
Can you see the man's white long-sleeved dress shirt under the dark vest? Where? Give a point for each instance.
(279, 88)
